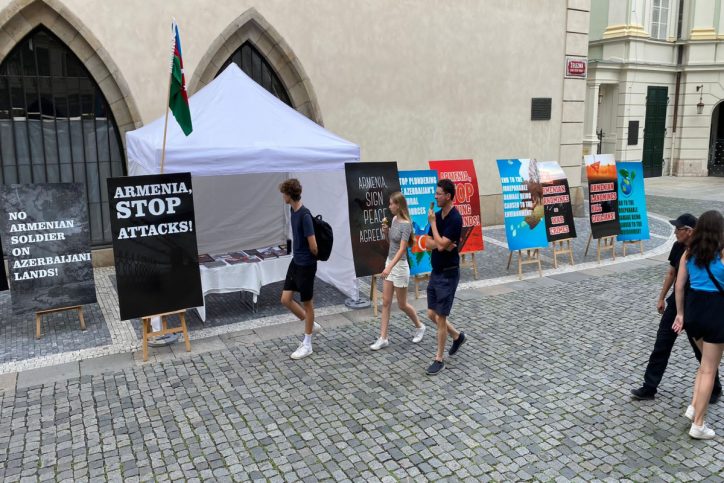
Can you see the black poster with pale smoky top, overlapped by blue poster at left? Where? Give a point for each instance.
(557, 202)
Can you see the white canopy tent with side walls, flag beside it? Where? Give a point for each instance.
(244, 143)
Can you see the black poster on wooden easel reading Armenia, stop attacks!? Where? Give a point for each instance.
(154, 244)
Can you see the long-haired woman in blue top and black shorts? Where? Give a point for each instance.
(703, 312)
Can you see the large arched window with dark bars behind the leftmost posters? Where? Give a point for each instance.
(56, 126)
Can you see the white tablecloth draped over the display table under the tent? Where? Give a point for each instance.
(242, 277)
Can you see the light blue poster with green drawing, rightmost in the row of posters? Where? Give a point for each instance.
(632, 201)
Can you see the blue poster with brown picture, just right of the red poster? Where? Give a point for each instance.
(522, 204)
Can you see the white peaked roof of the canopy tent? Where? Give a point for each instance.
(238, 127)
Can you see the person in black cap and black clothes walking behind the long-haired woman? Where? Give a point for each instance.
(665, 336)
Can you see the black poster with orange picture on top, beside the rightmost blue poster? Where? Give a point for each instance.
(602, 195)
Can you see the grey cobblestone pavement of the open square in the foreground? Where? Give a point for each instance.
(539, 392)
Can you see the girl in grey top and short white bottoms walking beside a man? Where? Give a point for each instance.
(397, 272)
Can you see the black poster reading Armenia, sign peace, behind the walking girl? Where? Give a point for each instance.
(369, 186)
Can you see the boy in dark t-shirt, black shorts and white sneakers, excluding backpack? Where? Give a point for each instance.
(303, 267)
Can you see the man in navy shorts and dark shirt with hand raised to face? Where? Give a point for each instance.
(443, 239)
